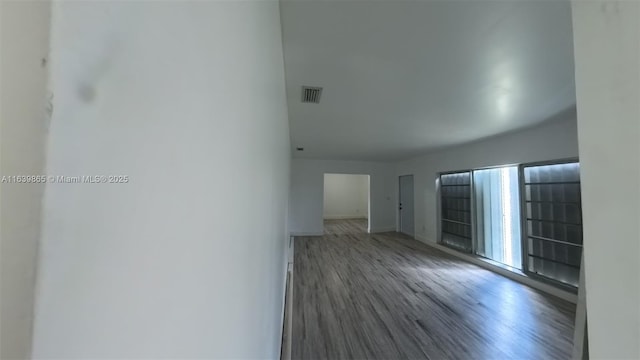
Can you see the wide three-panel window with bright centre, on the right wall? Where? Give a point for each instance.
(528, 217)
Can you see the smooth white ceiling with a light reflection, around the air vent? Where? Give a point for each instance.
(404, 77)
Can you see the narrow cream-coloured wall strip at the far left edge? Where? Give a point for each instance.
(24, 43)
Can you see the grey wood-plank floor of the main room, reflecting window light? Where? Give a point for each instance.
(386, 296)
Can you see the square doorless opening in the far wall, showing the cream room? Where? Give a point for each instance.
(347, 204)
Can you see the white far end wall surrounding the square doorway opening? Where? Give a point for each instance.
(306, 197)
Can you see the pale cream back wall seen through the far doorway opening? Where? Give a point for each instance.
(346, 196)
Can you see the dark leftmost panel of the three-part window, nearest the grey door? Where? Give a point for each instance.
(455, 190)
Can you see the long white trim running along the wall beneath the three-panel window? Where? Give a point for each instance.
(511, 274)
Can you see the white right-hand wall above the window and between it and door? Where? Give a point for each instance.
(555, 139)
